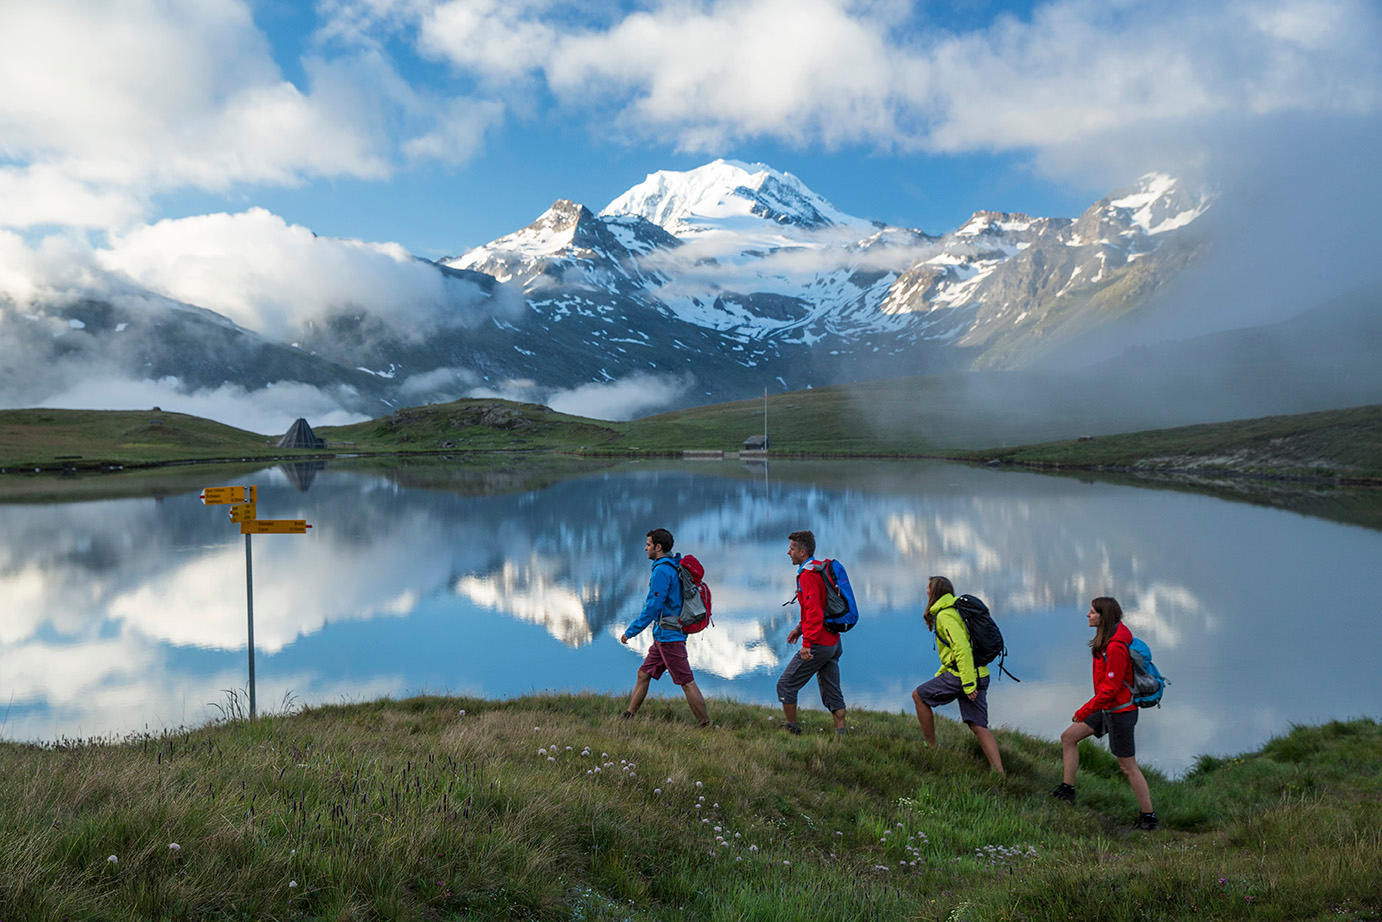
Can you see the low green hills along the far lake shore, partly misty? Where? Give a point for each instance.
(870, 420)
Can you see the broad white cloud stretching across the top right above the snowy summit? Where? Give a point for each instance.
(840, 74)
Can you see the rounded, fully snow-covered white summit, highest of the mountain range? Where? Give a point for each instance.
(725, 194)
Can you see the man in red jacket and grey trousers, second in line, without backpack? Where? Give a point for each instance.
(822, 649)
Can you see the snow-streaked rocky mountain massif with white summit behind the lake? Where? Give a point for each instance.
(714, 283)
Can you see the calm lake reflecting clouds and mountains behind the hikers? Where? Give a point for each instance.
(122, 614)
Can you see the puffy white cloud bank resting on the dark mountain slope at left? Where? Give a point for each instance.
(274, 277)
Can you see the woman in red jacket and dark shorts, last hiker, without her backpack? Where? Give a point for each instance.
(1110, 711)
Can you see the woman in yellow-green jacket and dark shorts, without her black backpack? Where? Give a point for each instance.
(958, 679)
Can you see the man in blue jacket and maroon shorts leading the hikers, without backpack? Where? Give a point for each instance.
(670, 643)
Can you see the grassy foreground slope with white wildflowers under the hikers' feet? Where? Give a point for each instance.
(415, 811)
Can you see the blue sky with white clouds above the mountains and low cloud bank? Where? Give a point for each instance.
(444, 124)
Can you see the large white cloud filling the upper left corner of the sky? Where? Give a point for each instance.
(104, 106)
